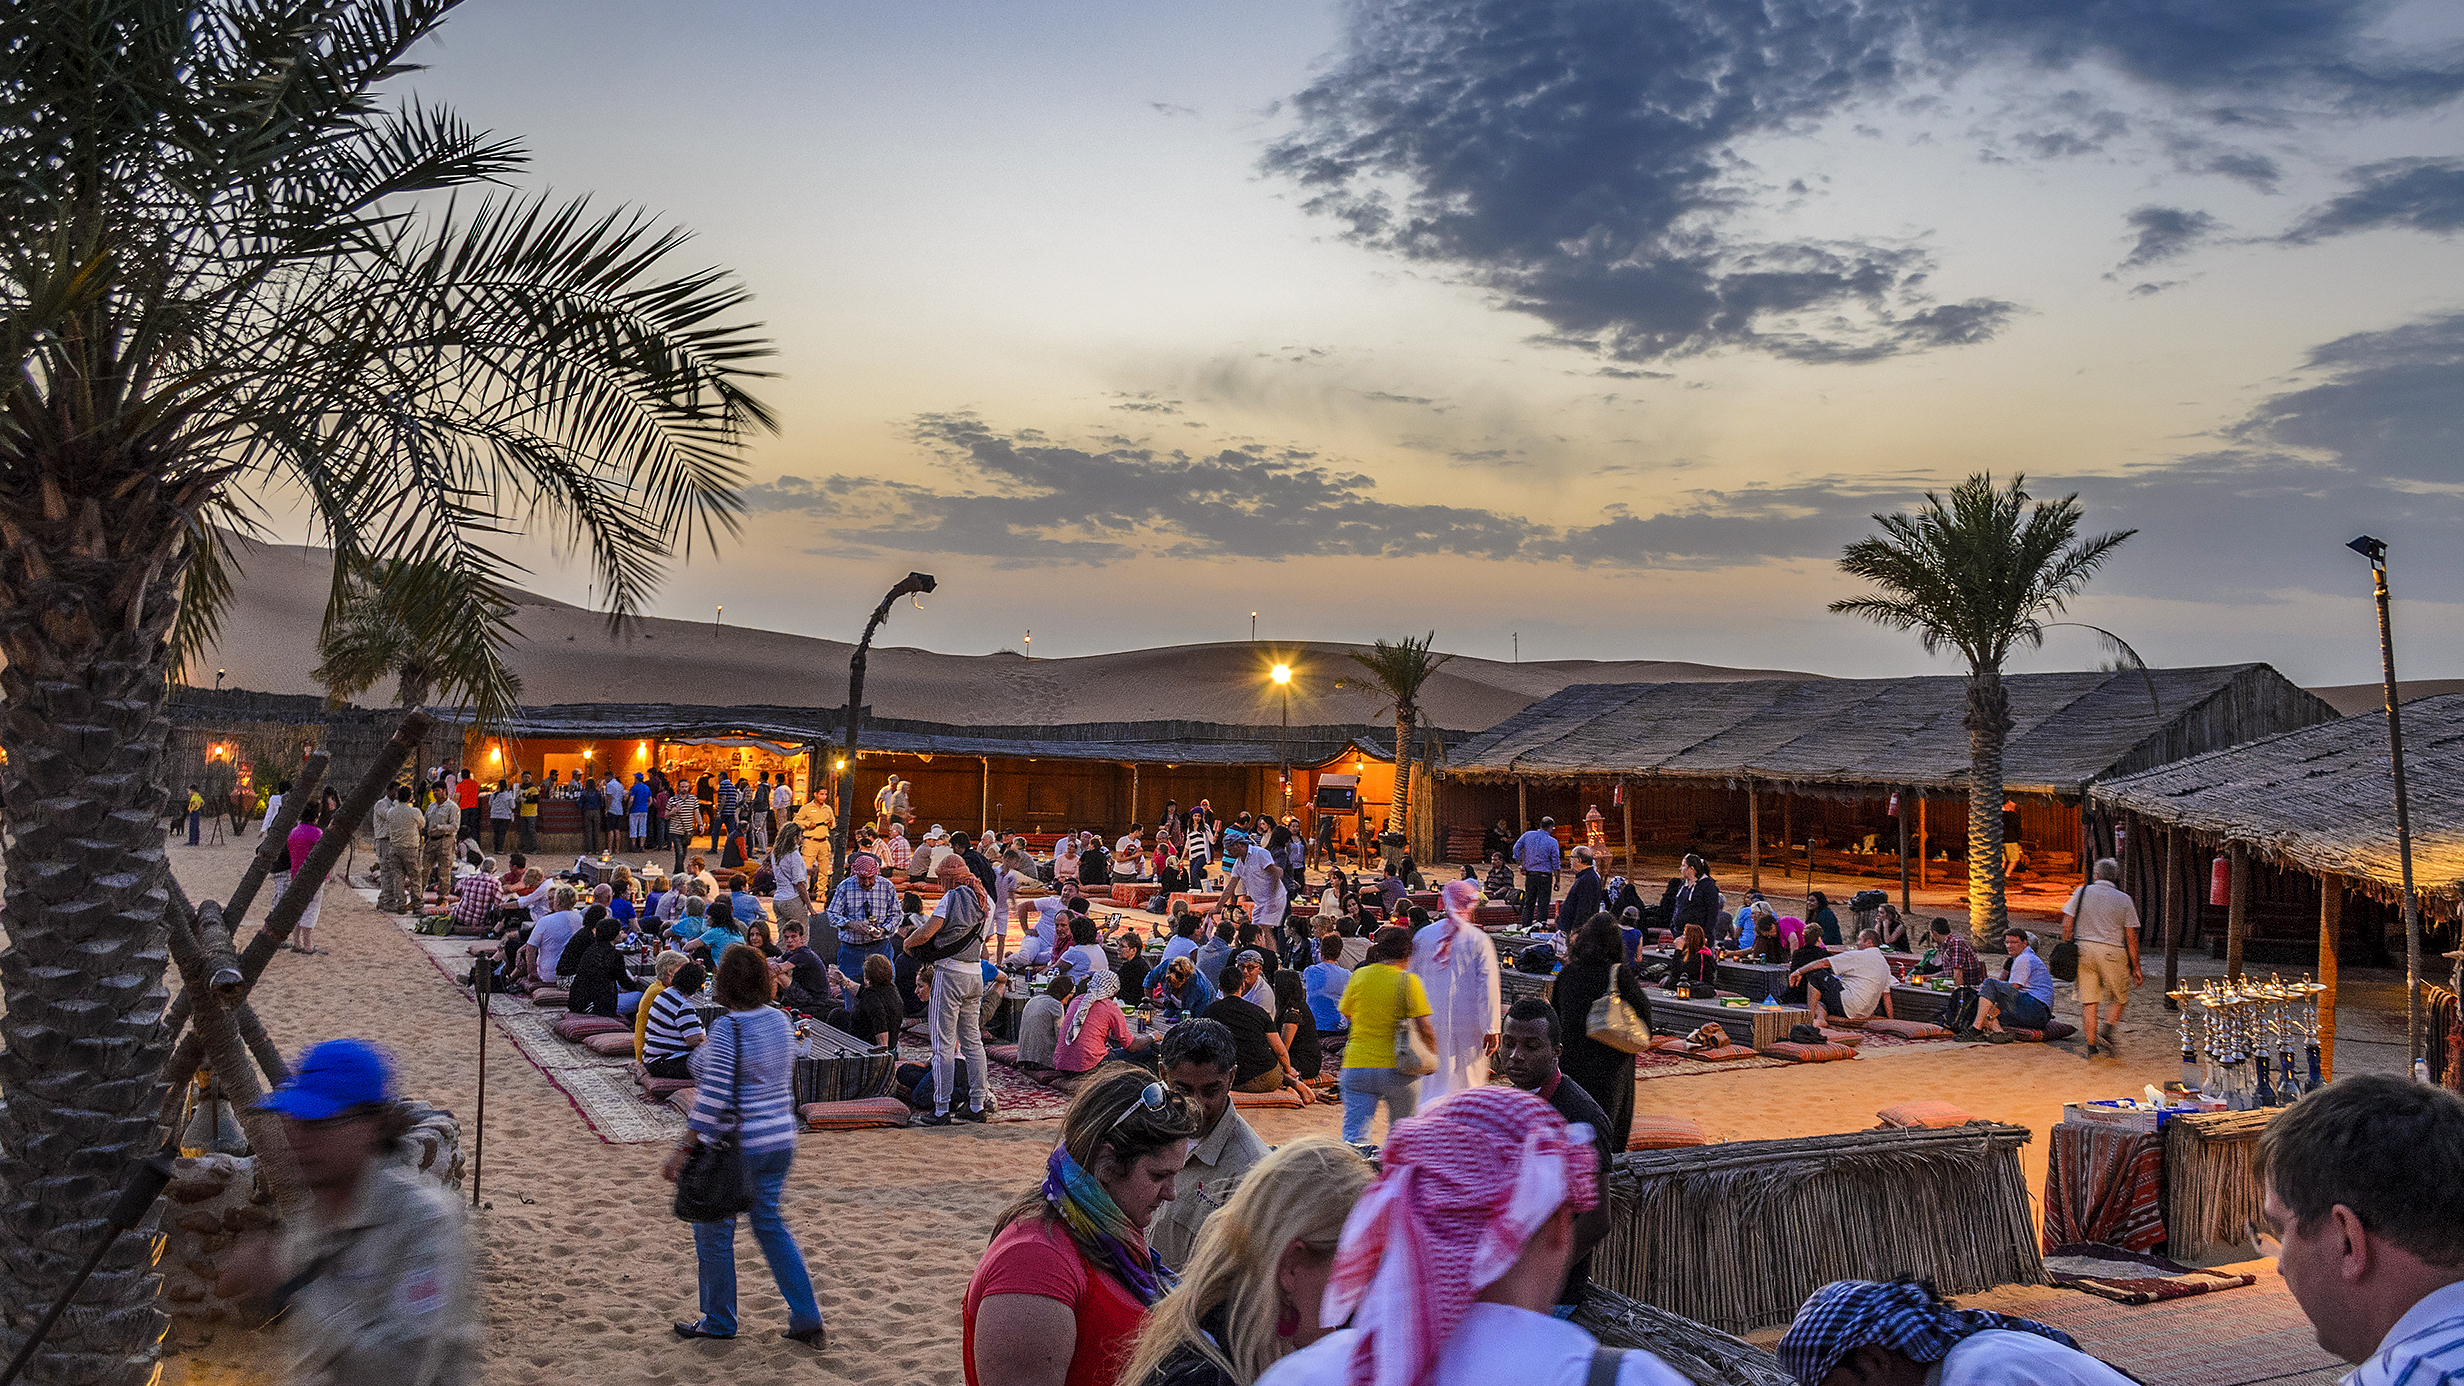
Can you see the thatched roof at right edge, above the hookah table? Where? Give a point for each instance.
(2325, 798)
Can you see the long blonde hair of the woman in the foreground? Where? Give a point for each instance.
(1297, 1195)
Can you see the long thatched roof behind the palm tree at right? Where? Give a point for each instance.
(1862, 734)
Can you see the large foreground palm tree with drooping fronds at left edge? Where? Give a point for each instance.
(228, 270)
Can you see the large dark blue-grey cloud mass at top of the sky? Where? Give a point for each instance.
(1578, 157)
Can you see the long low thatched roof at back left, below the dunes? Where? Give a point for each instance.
(1142, 744)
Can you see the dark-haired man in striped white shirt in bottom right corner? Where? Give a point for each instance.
(2367, 1187)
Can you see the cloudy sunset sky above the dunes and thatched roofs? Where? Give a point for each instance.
(1583, 329)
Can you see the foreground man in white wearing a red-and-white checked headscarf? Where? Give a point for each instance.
(1423, 1274)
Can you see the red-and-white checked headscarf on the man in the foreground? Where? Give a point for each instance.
(1462, 1187)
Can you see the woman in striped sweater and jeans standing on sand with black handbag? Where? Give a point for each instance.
(743, 1081)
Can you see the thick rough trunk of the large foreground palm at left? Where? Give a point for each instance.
(85, 618)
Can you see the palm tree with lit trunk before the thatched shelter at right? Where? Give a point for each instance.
(1982, 573)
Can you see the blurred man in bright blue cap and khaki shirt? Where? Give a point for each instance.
(376, 1274)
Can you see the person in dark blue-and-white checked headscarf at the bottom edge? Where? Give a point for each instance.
(1899, 1331)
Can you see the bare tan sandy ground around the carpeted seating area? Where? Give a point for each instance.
(583, 1266)
